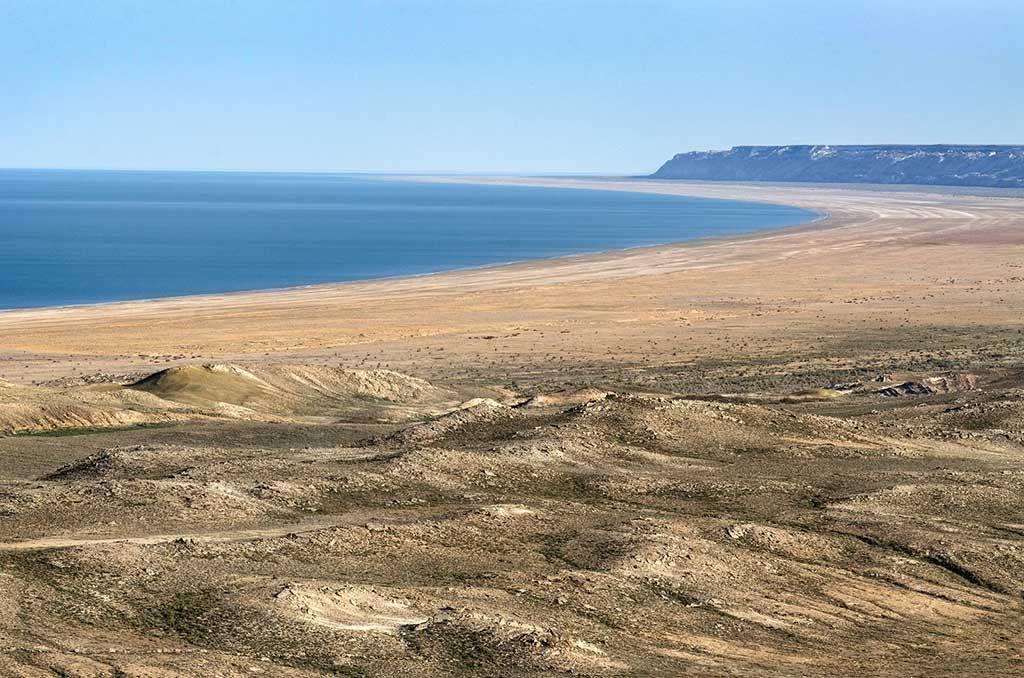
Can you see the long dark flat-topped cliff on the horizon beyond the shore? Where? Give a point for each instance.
(947, 165)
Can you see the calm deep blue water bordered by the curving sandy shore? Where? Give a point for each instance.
(77, 237)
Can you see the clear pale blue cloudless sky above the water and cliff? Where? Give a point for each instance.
(530, 87)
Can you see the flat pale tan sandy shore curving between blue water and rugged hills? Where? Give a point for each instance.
(880, 265)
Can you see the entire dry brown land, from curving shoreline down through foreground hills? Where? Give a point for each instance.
(797, 452)
